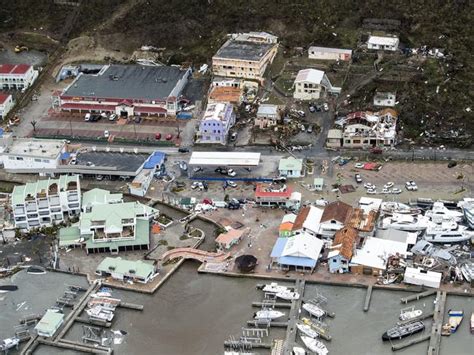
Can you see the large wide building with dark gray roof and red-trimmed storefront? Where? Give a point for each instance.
(126, 90)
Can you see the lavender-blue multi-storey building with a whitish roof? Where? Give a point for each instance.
(216, 123)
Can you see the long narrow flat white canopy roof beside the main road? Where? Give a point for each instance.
(224, 159)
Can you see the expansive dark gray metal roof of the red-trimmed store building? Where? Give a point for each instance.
(127, 82)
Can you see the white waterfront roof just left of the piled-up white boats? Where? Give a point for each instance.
(375, 252)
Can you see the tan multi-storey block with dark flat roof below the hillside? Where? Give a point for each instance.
(245, 55)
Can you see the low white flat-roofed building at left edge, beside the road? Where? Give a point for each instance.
(30, 153)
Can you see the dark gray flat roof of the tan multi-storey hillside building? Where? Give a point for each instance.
(243, 50)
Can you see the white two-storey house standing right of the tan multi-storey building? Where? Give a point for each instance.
(312, 84)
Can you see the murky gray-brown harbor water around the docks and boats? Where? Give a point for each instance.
(194, 314)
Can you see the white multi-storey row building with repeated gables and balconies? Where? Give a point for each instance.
(46, 202)
